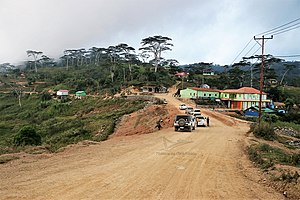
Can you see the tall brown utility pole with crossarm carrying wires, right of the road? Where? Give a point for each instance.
(263, 38)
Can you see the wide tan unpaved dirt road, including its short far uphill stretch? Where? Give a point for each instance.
(208, 163)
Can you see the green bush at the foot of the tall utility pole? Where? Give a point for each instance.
(265, 131)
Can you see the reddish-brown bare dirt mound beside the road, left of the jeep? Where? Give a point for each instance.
(144, 121)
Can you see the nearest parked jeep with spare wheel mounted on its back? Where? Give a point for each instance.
(185, 122)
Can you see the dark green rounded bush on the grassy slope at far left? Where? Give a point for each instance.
(27, 136)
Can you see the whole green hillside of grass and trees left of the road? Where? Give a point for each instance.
(31, 115)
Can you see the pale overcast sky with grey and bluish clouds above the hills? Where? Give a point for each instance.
(201, 30)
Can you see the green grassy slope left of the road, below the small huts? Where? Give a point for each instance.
(61, 123)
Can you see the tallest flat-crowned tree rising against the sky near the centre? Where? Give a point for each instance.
(156, 45)
